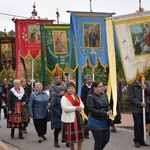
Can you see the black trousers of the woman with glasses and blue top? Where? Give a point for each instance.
(101, 138)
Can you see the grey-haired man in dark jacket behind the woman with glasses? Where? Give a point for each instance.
(86, 87)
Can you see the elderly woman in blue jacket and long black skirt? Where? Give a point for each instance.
(37, 106)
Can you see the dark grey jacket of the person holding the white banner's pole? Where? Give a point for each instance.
(135, 97)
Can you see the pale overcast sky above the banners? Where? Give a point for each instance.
(47, 8)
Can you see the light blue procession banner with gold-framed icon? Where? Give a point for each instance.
(88, 32)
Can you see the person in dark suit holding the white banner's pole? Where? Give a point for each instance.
(137, 105)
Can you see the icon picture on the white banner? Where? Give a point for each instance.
(141, 38)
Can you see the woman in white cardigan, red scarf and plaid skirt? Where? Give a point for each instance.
(72, 105)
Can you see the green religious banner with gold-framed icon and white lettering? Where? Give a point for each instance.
(57, 45)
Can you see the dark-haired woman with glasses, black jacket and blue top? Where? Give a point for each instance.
(99, 111)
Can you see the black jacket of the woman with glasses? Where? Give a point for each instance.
(98, 106)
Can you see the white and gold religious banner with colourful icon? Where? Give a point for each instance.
(133, 37)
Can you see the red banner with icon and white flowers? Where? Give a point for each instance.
(28, 40)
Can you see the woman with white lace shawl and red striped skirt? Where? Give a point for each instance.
(17, 113)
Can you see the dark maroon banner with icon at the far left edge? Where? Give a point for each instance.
(7, 53)
